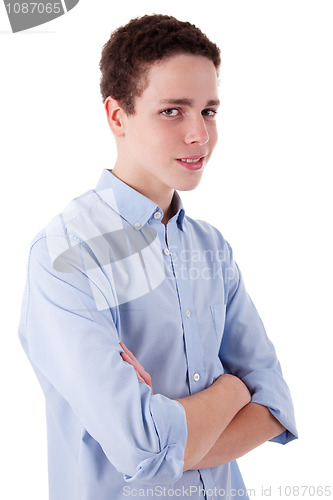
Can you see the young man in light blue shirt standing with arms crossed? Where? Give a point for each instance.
(122, 279)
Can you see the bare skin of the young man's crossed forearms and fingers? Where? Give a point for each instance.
(222, 424)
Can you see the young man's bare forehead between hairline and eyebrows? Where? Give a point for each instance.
(182, 76)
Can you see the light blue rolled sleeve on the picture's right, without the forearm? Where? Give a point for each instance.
(247, 352)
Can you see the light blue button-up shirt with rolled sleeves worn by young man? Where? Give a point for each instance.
(107, 270)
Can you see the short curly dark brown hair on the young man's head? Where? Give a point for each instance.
(133, 48)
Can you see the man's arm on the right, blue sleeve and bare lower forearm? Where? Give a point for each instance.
(247, 352)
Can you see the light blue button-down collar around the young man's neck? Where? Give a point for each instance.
(133, 206)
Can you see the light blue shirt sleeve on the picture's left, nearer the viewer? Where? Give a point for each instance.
(74, 349)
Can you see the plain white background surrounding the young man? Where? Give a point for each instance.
(267, 188)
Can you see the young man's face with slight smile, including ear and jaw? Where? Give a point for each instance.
(170, 138)
